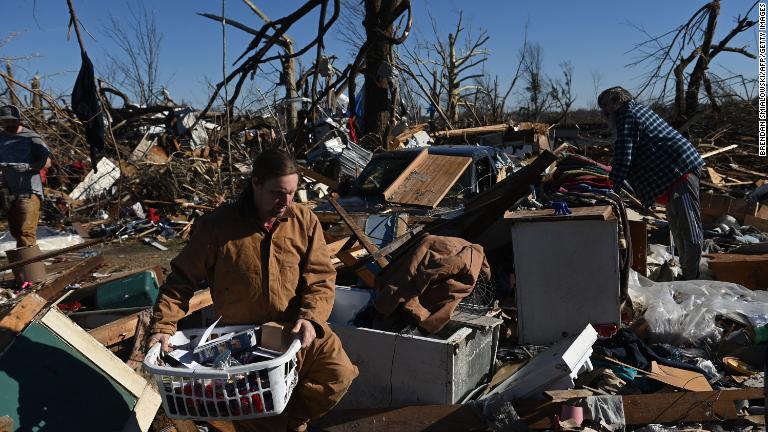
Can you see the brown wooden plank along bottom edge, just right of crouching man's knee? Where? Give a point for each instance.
(444, 418)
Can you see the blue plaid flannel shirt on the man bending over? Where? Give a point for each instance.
(649, 153)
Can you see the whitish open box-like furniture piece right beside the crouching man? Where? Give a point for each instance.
(401, 369)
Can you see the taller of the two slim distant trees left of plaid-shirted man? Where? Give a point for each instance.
(539, 96)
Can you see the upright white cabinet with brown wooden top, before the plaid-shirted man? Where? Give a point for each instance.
(566, 266)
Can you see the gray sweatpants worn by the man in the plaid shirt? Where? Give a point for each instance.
(684, 215)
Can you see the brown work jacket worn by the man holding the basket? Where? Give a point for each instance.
(255, 276)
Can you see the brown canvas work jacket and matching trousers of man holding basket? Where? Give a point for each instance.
(258, 276)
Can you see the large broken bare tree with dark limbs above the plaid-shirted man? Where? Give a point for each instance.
(671, 54)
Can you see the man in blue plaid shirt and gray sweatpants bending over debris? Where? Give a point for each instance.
(661, 165)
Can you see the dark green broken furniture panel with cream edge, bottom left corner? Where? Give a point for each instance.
(52, 369)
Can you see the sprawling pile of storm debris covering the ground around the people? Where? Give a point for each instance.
(459, 247)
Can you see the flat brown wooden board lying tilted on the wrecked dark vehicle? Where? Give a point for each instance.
(427, 179)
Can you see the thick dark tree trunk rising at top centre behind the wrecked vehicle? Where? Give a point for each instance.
(376, 92)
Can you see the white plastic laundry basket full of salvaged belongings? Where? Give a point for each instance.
(243, 392)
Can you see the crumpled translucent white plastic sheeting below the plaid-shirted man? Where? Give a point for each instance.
(684, 312)
